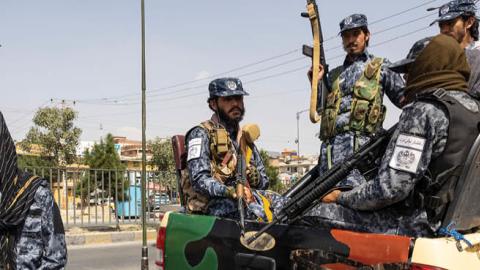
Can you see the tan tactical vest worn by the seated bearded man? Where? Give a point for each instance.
(223, 163)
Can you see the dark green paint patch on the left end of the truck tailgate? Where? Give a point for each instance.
(181, 230)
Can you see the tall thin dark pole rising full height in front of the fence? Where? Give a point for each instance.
(144, 262)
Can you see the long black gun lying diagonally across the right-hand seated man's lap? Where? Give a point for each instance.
(311, 192)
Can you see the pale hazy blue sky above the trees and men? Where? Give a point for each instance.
(87, 55)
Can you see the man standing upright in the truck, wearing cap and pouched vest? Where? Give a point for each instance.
(354, 108)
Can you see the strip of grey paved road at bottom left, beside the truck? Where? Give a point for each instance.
(121, 256)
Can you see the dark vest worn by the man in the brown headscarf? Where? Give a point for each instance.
(436, 190)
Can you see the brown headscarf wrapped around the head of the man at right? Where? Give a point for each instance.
(442, 64)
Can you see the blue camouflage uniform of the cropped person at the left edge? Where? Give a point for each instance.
(39, 245)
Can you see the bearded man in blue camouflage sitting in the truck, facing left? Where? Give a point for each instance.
(213, 148)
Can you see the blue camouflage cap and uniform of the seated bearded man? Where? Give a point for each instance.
(200, 167)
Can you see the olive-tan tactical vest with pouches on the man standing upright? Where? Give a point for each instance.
(367, 111)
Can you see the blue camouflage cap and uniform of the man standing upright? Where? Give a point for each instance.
(344, 143)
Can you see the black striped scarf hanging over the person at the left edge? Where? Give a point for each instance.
(17, 195)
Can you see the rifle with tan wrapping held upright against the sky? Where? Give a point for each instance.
(317, 54)
